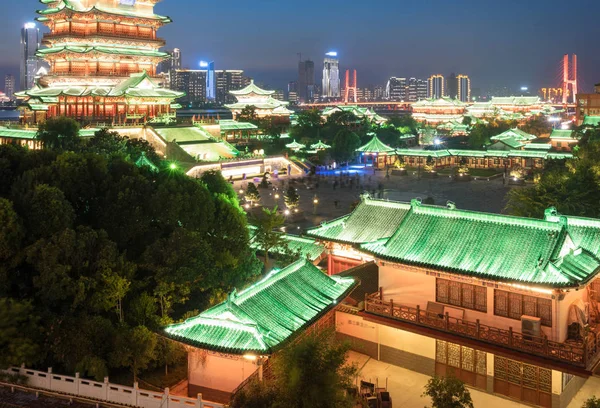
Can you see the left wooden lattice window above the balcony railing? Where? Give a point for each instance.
(461, 294)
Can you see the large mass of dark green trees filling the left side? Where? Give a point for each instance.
(97, 254)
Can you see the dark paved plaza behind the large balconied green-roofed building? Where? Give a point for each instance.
(337, 191)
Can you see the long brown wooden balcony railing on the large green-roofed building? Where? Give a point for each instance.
(582, 354)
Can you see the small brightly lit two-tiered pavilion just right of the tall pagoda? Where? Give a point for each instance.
(263, 102)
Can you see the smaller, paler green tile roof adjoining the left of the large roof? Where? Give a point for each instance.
(370, 221)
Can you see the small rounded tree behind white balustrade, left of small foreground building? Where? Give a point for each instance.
(134, 348)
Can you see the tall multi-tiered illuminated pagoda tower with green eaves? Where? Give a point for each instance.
(102, 56)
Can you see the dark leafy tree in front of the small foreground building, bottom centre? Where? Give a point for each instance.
(310, 373)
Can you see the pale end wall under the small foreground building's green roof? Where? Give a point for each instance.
(223, 373)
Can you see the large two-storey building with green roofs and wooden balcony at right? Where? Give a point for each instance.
(507, 304)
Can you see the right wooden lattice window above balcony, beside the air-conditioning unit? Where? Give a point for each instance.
(515, 305)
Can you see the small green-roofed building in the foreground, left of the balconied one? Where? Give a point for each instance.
(233, 341)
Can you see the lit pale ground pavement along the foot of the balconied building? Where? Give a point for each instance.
(406, 386)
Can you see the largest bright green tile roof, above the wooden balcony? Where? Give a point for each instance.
(498, 247)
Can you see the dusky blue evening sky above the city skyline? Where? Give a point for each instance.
(509, 43)
